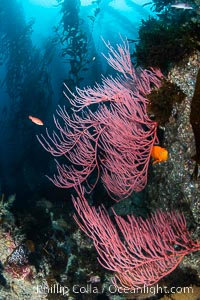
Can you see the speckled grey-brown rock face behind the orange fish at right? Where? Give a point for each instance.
(172, 184)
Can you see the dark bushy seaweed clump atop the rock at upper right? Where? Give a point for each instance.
(167, 40)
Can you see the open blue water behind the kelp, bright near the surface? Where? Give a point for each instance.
(33, 69)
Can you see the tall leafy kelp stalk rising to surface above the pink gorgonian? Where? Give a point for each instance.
(73, 41)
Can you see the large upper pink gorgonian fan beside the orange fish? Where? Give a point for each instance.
(115, 141)
